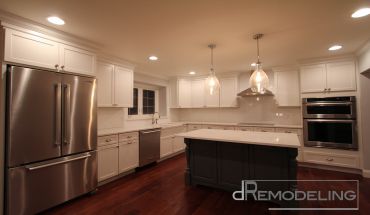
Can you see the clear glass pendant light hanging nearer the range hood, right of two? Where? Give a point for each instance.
(259, 81)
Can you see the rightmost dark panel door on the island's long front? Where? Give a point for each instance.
(271, 163)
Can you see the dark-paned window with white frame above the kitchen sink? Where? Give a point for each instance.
(145, 103)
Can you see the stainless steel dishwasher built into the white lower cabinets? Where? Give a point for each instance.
(149, 146)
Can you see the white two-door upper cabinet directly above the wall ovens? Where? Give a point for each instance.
(330, 77)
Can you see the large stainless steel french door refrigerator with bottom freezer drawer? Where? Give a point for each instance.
(51, 138)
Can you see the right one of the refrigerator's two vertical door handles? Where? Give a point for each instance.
(67, 114)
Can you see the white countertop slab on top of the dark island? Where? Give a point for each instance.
(245, 137)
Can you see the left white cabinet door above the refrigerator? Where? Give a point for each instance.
(30, 49)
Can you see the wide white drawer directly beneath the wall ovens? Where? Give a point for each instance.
(331, 159)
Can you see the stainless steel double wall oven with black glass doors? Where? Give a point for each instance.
(330, 122)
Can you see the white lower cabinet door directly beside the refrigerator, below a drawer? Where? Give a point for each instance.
(107, 162)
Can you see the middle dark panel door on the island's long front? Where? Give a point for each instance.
(233, 165)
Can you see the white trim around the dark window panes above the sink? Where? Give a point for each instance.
(140, 115)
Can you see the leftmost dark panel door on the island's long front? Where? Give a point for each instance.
(203, 163)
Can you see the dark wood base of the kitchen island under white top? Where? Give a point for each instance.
(225, 165)
